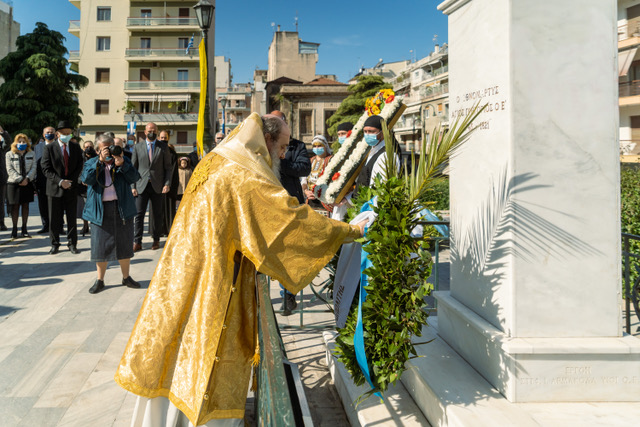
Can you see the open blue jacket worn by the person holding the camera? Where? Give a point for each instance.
(124, 176)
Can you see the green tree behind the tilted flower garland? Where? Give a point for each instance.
(352, 106)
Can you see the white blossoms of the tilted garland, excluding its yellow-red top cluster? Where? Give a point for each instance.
(326, 189)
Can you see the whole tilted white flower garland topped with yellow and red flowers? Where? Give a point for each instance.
(328, 189)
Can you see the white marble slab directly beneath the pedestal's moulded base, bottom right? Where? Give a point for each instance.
(450, 392)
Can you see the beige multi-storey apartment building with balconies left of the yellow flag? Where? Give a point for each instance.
(141, 66)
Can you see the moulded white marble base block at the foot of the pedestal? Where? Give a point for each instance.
(554, 369)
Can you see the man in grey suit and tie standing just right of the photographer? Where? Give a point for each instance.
(152, 159)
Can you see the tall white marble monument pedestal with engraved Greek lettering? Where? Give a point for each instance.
(535, 295)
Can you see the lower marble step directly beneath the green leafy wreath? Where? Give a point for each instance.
(397, 409)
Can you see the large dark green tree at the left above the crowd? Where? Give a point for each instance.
(38, 90)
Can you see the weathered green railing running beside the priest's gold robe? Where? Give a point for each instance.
(275, 404)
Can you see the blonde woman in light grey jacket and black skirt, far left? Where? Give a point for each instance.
(21, 169)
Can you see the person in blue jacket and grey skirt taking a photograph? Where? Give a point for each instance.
(110, 208)
